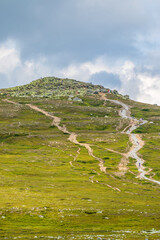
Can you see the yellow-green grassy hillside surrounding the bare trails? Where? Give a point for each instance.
(46, 187)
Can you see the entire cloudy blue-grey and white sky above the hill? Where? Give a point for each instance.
(109, 42)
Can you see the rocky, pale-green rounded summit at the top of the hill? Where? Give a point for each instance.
(53, 87)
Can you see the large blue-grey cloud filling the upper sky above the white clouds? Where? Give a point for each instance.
(80, 29)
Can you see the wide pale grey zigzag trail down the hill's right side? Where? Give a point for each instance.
(135, 140)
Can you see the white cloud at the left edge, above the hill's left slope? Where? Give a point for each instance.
(17, 71)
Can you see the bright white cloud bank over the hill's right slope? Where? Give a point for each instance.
(138, 85)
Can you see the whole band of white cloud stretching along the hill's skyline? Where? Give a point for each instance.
(140, 84)
